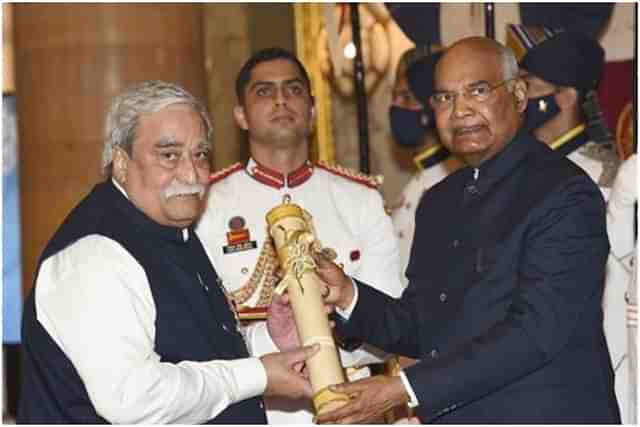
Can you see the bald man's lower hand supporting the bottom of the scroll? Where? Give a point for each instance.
(370, 398)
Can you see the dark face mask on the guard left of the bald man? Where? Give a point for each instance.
(408, 127)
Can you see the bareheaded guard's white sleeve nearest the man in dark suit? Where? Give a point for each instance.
(380, 266)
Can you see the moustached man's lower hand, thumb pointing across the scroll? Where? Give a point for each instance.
(286, 376)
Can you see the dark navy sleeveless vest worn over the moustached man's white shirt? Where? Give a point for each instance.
(205, 329)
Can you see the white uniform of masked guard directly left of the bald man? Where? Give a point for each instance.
(404, 215)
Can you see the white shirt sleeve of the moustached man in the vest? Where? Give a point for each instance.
(94, 300)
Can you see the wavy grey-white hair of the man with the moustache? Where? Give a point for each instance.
(146, 97)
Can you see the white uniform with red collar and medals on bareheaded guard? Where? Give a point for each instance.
(348, 216)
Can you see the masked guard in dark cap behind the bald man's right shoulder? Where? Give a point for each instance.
(562, 70)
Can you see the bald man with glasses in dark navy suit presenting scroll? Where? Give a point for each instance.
(505, 277)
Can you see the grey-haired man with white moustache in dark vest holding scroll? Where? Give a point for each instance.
(128, 322)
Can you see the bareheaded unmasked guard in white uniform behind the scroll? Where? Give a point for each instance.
(276, 109)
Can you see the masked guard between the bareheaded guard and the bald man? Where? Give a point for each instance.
(413, 127)
